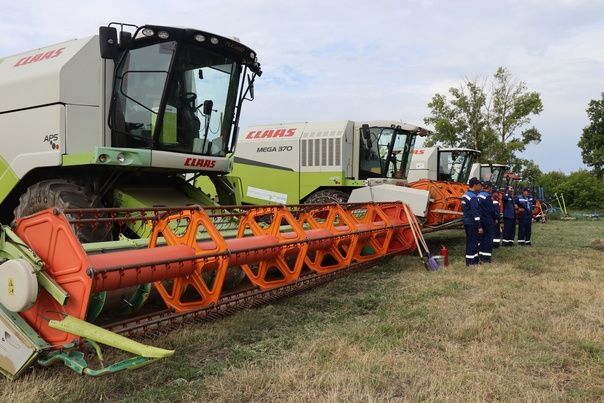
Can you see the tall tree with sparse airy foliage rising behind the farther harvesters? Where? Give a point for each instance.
(494, 121)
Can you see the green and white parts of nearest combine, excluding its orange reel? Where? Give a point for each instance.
(112, 120)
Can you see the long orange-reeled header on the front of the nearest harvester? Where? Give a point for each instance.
(54, 287)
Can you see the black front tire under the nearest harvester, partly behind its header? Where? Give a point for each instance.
(62, 194)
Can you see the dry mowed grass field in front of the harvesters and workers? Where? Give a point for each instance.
(530, 326)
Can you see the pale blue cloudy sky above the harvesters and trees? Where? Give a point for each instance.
(368, 60)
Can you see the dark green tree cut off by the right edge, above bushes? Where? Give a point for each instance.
(592, 139)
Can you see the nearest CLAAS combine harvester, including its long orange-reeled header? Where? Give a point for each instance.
(105, 235)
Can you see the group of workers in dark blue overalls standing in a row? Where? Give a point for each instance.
(483, 208)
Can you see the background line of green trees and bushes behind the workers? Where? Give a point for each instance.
(494, 116)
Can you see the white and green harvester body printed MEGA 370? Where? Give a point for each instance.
(321, 162)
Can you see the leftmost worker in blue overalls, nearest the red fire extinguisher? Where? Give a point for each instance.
(471, 221)
